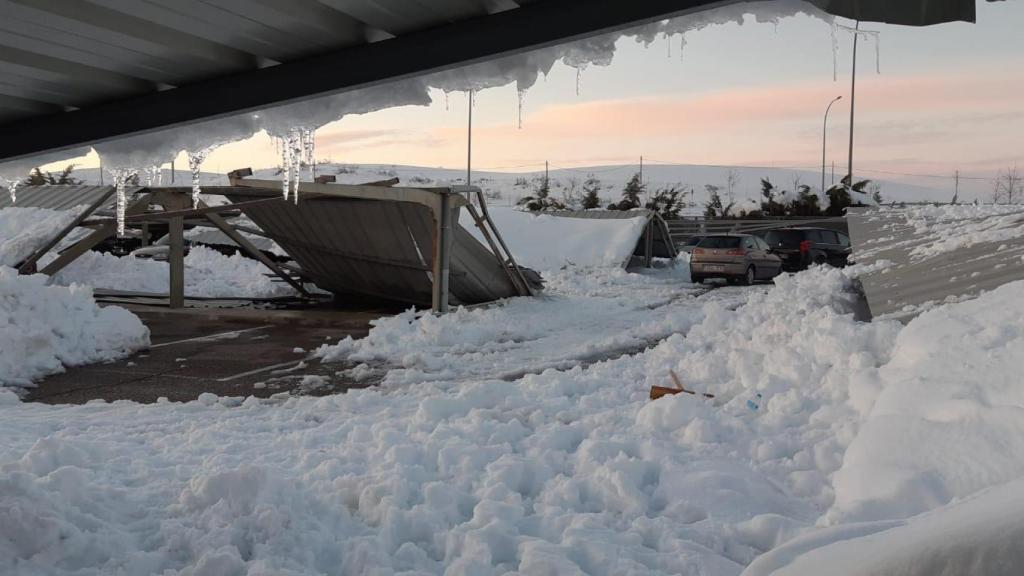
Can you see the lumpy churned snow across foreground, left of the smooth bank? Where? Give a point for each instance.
(567, 472)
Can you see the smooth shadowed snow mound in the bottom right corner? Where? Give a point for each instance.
(979, 536)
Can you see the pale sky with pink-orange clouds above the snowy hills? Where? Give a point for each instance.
(948, 98)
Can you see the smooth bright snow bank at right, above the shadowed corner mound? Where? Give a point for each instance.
(949, 409)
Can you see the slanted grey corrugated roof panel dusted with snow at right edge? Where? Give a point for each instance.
(912, 284)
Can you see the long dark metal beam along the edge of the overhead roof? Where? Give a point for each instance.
(533, 26)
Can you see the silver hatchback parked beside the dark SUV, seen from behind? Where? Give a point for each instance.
(737, 258)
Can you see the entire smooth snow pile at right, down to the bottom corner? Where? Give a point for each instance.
(942, 438)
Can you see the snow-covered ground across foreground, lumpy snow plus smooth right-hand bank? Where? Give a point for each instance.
(500, 442)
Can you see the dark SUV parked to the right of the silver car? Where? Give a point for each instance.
(801, 248)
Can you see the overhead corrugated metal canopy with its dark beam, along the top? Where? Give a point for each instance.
(78, 72)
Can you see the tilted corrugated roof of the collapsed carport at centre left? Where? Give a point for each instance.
(378, 249)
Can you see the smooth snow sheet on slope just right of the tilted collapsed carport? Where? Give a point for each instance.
(546, 243)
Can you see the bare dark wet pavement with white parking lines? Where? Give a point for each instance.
(234, 353)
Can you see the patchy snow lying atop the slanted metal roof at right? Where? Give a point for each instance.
(933, 231)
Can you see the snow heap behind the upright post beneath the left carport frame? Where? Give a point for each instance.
(208, 274)
